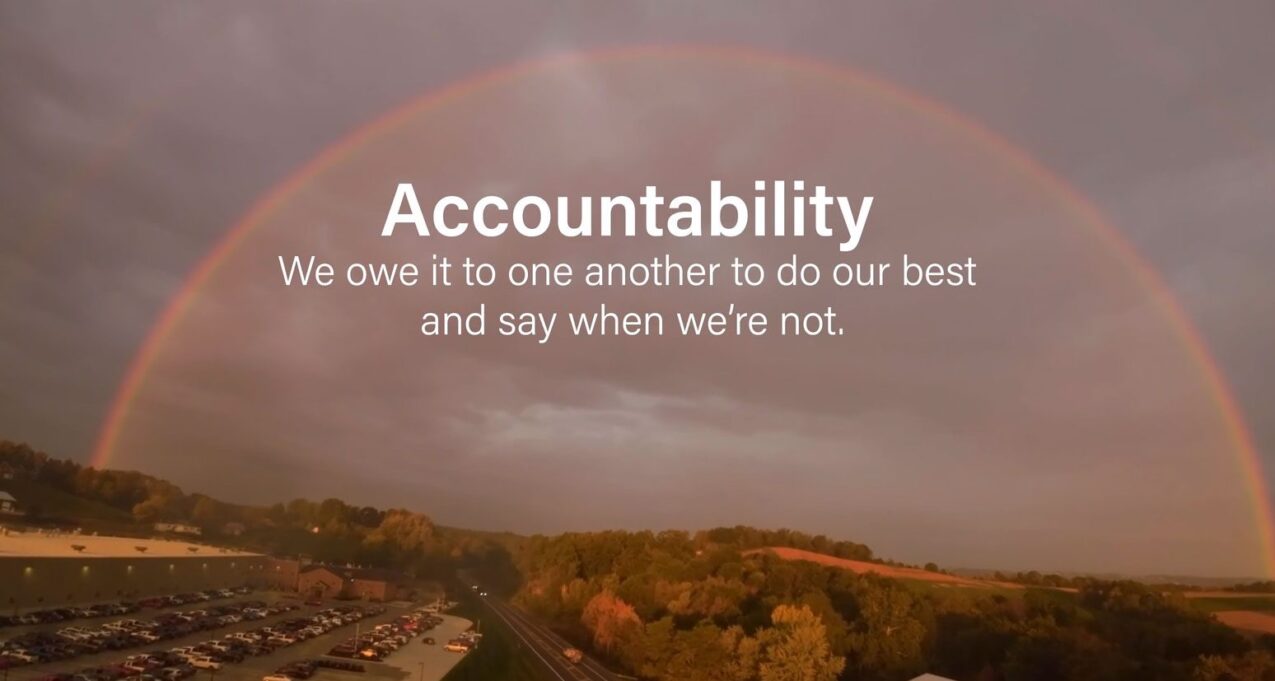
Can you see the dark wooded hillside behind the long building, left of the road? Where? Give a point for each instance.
(328, 531)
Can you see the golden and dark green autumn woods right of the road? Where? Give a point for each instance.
(675, 606)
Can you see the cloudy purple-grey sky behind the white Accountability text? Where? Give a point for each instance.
(1051, 418)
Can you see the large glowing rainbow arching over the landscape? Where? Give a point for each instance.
(1148, 279)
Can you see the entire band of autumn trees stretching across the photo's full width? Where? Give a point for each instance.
(711, 608)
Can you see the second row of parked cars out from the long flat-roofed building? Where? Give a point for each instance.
(71, 642)
